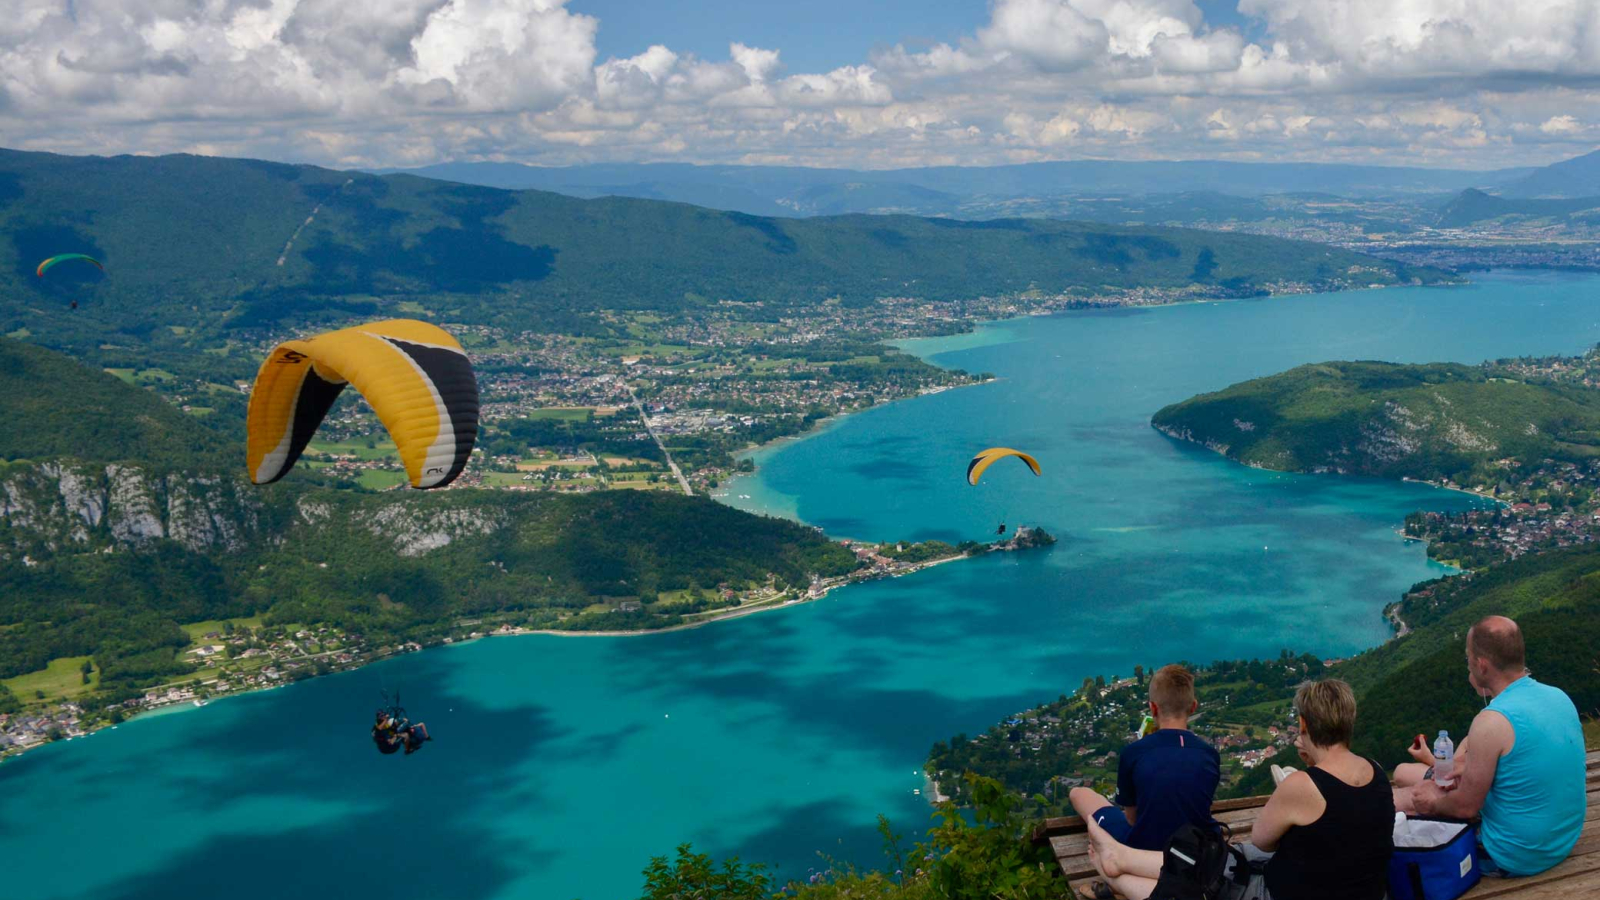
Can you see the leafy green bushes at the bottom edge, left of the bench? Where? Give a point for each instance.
(983, 856)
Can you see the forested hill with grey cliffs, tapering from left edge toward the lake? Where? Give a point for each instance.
(122, 520)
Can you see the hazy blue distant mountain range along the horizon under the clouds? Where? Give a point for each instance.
(798, 191)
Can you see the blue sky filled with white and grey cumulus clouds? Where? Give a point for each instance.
(863, 84)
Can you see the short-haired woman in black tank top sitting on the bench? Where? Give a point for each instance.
(1326, 834)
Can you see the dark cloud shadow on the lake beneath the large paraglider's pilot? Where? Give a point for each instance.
(426, 824)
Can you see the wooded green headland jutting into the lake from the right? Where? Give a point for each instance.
(1377, 419)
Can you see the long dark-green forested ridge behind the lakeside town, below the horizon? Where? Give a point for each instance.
(193, 249)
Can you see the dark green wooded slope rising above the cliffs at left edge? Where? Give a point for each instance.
(57, 408)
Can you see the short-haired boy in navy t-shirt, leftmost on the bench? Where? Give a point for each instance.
(1164, 781)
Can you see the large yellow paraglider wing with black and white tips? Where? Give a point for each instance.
(415, 376)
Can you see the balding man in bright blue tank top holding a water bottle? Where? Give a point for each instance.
(1521, 766)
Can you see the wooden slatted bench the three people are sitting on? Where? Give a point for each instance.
(1577, 877)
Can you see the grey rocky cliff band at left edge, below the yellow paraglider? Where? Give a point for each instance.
(79, 508)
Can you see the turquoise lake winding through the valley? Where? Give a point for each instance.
(562, 765)
